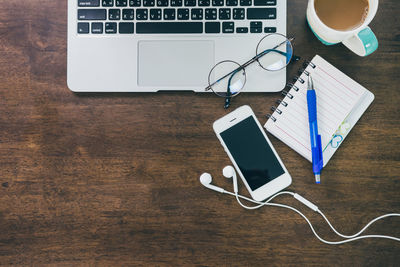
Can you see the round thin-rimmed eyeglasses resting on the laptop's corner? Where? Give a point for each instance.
(273, 53)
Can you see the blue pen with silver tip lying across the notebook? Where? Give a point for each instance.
(316, 147)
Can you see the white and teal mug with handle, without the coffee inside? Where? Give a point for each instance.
(360, 40)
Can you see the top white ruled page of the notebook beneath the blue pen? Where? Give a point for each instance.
(337, 95)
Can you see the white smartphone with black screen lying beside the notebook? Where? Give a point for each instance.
(252, 154)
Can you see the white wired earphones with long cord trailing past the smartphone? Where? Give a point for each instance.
(229, 172)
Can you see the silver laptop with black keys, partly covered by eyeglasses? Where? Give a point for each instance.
(164, 45)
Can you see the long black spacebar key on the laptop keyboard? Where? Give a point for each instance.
(169, 27)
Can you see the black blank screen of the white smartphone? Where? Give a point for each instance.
(252, 153)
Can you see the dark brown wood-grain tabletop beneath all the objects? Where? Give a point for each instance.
(113, 179)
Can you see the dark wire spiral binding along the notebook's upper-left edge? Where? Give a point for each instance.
(290, 86)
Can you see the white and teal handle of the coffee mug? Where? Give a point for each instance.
(363, 43)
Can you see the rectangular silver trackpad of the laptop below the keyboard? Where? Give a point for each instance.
(175, 63)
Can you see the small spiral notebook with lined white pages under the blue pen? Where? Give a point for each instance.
(340, 103)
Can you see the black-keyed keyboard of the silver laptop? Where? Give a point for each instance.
(175, 16)
